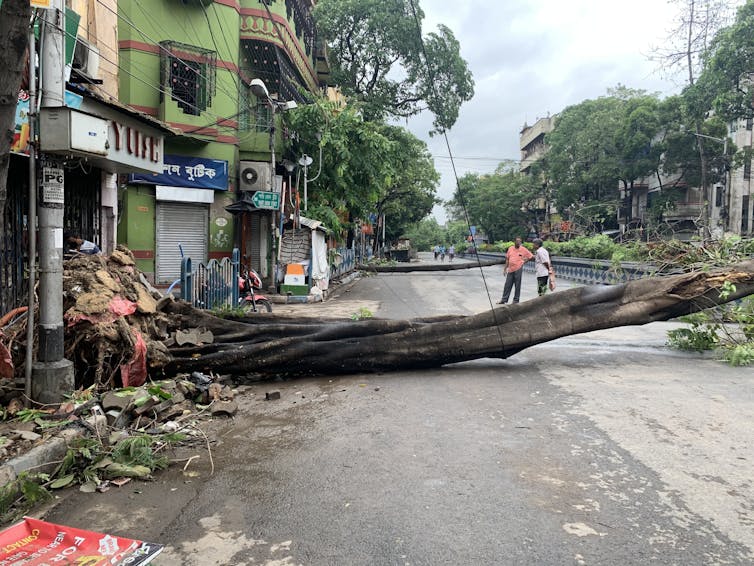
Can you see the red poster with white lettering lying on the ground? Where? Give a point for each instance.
(36, 543)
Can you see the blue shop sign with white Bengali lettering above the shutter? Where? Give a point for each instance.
(192, 172)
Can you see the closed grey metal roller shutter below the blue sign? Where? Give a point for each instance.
(180, 223)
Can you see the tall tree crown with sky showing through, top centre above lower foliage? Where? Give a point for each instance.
(378, 57)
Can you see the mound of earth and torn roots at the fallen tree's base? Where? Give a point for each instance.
(115, 330)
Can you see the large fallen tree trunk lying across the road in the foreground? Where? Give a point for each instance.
(269, 345)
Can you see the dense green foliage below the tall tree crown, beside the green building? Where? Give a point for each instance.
(367, 167)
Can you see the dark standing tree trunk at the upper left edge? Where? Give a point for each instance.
(14, 25)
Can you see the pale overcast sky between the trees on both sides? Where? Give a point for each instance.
(531, 58)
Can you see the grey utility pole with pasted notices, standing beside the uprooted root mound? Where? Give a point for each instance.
(52, 375)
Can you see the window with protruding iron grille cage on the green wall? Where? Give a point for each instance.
(188, 76)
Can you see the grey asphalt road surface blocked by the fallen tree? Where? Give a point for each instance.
(602, 448)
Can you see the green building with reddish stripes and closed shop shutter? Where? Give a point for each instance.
(191, 64)
